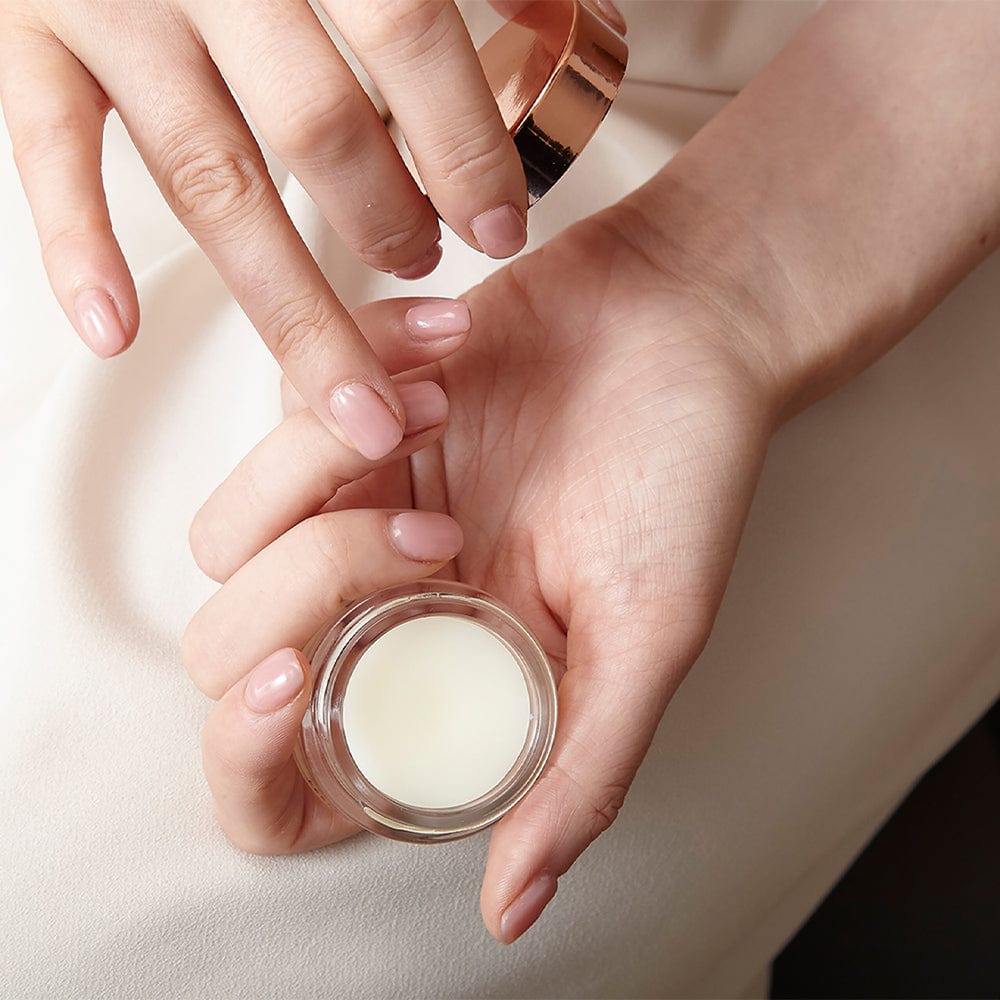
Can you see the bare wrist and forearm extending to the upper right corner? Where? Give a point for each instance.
(840, 196)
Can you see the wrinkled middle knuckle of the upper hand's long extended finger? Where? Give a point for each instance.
(211, 185)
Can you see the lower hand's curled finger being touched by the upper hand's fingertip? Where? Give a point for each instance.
(289, 476)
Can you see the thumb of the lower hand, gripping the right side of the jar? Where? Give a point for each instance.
(610, 701)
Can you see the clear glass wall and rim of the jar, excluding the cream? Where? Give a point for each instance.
(324, 755)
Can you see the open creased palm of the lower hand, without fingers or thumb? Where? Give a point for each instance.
(600, 449)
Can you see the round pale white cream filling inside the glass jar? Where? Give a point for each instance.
(436, 711)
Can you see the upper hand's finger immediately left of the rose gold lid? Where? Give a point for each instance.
(420, 55)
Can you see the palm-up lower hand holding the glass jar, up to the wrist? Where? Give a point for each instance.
(608, 421)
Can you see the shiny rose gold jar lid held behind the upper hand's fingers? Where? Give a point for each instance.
(555, 70)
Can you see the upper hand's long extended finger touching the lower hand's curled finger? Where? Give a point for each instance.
(198, 148)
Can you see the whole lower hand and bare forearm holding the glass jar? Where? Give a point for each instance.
(609, 418)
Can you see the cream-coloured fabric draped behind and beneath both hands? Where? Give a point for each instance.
(858, 639)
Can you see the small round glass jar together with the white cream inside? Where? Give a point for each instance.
(433, 712)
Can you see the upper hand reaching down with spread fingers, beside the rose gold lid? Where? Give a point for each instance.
(168, 67)
